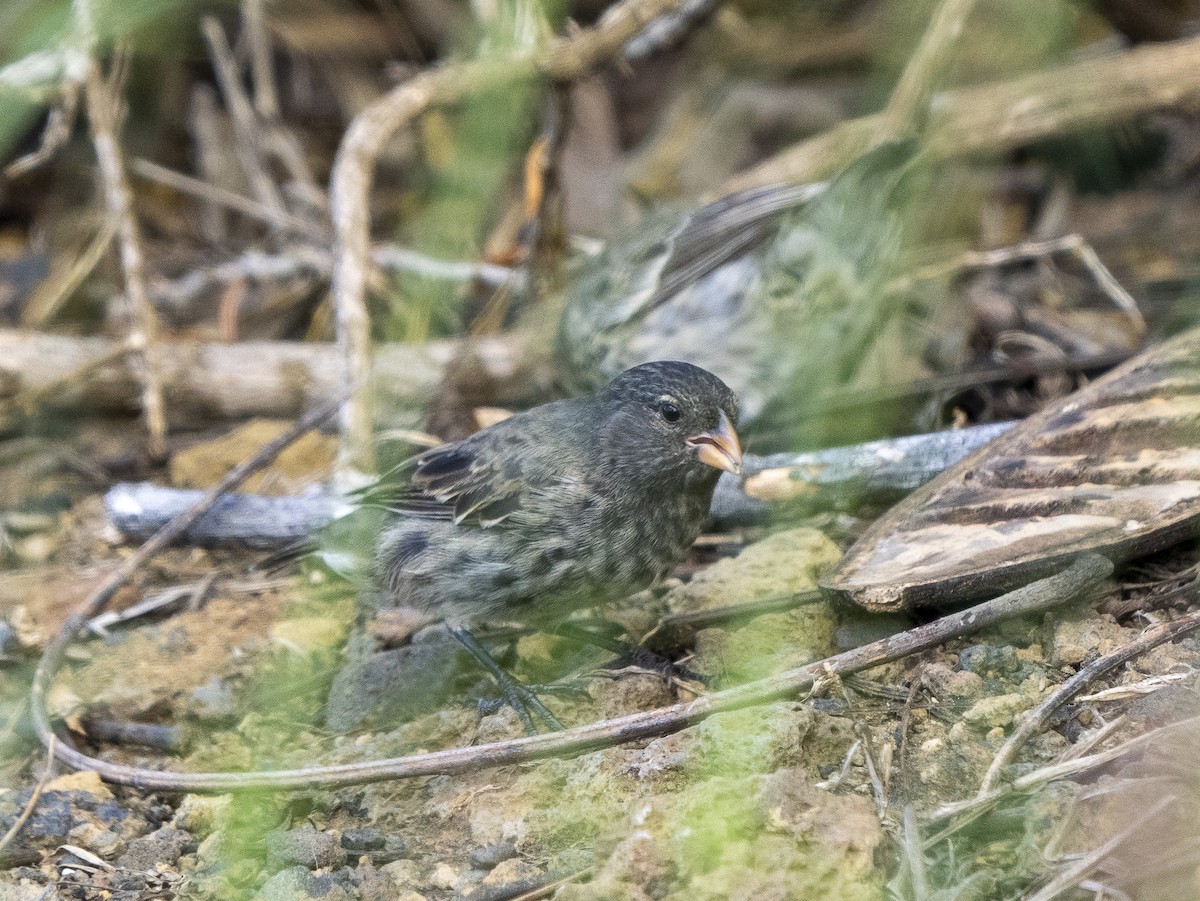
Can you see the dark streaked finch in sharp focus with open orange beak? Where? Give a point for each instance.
(568, 506)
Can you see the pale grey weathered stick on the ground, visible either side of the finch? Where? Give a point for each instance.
(877, 470)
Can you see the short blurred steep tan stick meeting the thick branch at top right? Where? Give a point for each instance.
(907, 109)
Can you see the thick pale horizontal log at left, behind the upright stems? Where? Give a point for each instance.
(214, 381)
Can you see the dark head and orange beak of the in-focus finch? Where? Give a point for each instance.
(676, 416)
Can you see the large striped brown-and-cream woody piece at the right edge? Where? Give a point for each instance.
(1112, 470)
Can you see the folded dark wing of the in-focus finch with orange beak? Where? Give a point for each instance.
(482, 480)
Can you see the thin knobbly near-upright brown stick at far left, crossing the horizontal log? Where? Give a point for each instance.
(105, 117)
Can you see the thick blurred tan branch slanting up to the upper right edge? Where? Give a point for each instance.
(1007, 115)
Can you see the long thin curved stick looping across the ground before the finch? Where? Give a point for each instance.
(1072, 584)
